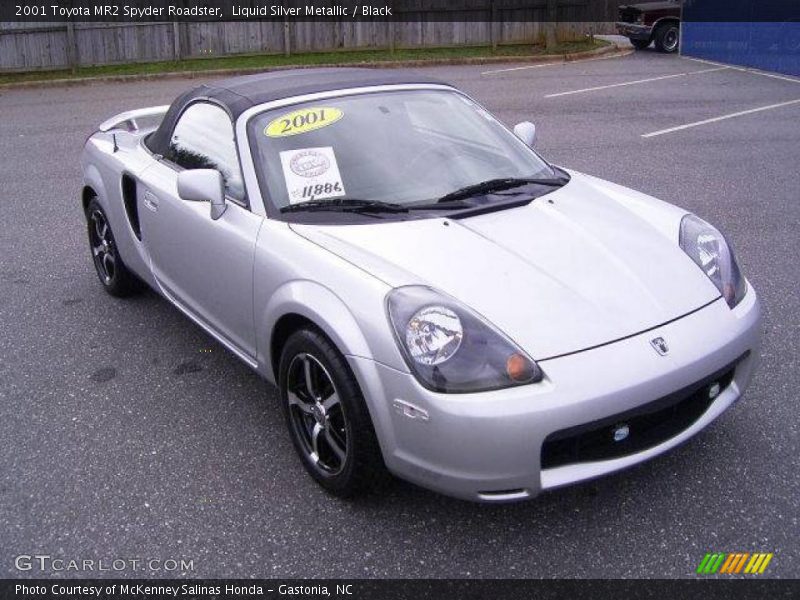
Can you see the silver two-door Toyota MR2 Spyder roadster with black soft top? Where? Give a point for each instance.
(432, 298)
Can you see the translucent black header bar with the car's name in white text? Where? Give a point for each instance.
(60, 11)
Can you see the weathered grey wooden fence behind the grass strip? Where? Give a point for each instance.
(26, 46)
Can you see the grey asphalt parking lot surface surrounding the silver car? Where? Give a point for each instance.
(126, 432)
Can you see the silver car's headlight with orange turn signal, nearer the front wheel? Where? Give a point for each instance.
(450, 348)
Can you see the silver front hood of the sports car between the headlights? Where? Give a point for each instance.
(585, 265)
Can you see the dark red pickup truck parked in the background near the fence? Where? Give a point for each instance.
(658, 22)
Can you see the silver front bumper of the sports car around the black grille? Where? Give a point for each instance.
(488, 447)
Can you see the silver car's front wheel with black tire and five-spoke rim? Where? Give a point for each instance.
(320, 394)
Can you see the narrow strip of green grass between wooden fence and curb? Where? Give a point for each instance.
(266, 61)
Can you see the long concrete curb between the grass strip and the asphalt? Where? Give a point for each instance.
(610, 51)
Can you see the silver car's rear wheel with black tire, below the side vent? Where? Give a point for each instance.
(117, 280)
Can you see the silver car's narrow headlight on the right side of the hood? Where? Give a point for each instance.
(707, 247)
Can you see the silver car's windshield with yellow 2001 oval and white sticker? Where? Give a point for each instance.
(399, 147)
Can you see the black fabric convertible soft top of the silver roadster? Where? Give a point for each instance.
(238, 94)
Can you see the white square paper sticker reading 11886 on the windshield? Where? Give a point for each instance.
(311, 174)
